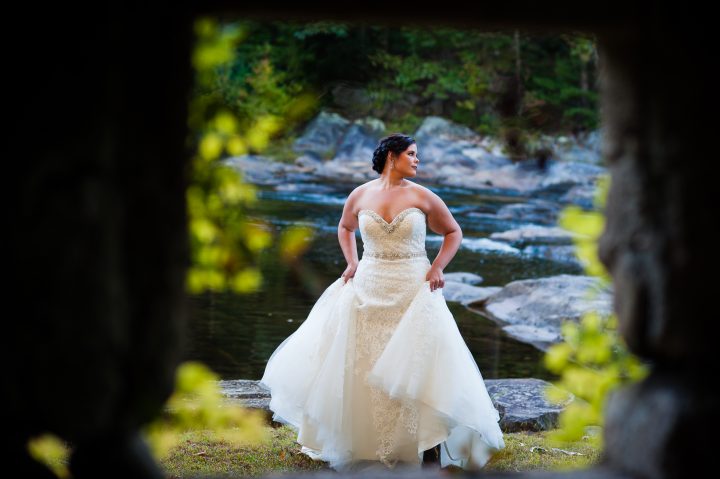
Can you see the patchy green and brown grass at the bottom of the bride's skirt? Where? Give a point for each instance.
(200, 453)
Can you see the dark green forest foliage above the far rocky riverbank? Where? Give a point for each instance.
(488, 81)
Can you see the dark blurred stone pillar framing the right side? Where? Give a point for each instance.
(659, 243)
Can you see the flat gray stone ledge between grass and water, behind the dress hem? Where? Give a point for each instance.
(521, 402)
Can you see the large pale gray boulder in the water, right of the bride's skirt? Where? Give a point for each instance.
(533, 310)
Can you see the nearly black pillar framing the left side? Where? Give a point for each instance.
(99, 232)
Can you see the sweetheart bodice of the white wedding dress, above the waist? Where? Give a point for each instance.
(403, 237)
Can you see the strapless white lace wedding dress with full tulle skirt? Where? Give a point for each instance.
(378, 372)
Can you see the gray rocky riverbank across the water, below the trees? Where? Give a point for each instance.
(333, 148)
